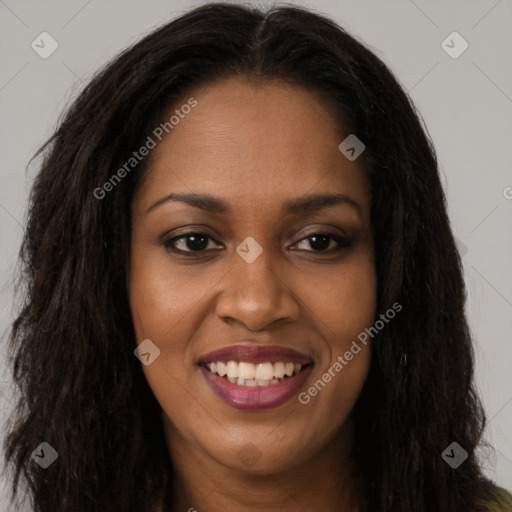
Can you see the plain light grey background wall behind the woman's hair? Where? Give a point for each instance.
(466, 104)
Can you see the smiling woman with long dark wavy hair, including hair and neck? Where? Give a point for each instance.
(243, 291)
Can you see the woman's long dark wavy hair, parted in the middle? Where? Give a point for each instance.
(71, 345)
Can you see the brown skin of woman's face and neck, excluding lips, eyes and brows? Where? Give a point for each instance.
(255, 145)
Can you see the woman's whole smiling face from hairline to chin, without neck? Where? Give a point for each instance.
(241, 271)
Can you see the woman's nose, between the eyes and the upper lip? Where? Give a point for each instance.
(256, 294)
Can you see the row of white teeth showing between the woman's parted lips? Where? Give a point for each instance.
(249, 374)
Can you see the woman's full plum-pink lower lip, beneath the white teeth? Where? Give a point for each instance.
(257, 398)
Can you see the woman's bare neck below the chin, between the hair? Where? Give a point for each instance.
(326, 481)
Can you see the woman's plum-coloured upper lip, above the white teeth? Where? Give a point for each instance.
(256, 354)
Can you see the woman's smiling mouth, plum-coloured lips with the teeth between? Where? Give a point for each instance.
(255, 378)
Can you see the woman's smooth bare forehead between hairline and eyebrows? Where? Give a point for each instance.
(253, 142)
